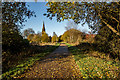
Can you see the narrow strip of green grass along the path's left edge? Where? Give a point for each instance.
(25, 65)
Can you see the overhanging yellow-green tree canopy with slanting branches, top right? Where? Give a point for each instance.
(92, 13)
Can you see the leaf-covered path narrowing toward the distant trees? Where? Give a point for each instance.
(59, 64)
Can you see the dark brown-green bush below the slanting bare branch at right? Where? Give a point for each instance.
(108, 42)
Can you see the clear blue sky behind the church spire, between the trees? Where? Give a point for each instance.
(51, 26)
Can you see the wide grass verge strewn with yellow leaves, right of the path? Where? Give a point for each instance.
(94, 67)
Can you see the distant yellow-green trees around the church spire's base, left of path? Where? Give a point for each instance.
(40, 37)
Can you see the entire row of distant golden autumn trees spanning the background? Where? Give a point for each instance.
(71, 35)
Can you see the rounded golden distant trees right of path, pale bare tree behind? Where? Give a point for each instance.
(74, 35)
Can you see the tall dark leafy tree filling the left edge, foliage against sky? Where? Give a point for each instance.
(14, 14)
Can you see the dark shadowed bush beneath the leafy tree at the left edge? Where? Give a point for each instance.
(13, 43)
